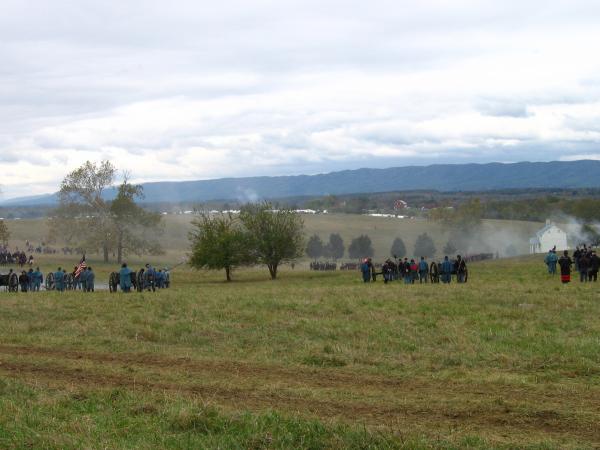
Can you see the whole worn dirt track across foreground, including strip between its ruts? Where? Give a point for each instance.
(402, 404)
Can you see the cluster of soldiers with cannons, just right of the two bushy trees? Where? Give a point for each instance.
(411, 271)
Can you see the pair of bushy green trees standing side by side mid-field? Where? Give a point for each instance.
(258, 235)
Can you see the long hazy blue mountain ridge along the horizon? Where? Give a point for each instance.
(440, 177)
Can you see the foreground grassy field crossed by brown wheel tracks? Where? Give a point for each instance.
(312, 360)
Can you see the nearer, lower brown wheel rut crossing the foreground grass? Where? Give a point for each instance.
(544, 422)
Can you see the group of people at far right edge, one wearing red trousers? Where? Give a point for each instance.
(586, 262)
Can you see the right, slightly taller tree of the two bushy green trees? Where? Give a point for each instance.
(277, 235)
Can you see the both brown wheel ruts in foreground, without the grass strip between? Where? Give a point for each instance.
(472, 413)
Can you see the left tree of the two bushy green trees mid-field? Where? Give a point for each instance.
(219, 243)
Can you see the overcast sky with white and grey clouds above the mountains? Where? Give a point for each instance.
(196, 89)
